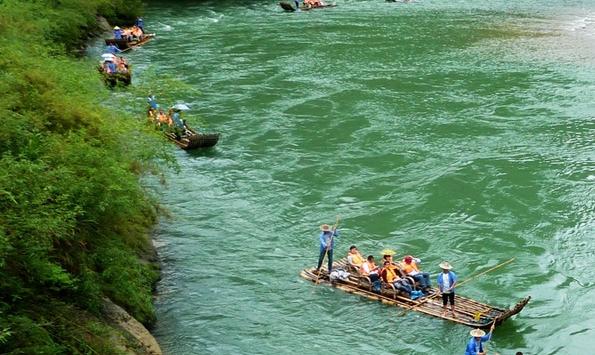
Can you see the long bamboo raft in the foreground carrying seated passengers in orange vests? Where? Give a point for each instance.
(469, 312)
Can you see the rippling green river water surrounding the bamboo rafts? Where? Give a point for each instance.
(446, 129)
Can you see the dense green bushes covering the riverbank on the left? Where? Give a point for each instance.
(73, 216)
